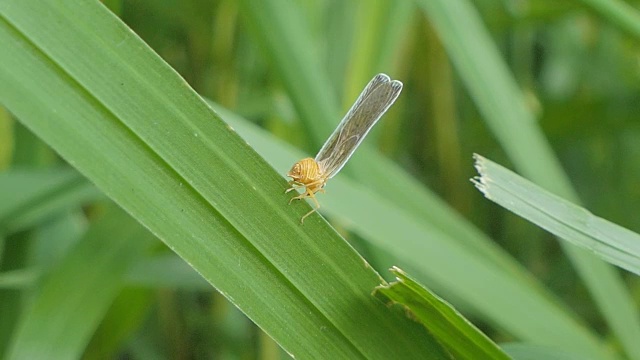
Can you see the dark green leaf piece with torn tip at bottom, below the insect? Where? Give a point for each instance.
(459, 336)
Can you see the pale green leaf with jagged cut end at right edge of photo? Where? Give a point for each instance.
(560, 217)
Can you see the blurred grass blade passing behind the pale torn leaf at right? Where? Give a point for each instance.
(498, 98)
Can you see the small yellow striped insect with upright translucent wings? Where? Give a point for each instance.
(312, 174)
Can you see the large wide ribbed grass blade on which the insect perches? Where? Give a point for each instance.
(132, 126)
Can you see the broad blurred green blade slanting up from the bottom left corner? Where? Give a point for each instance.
(88, 278)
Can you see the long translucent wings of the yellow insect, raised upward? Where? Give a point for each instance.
(374, 101)
